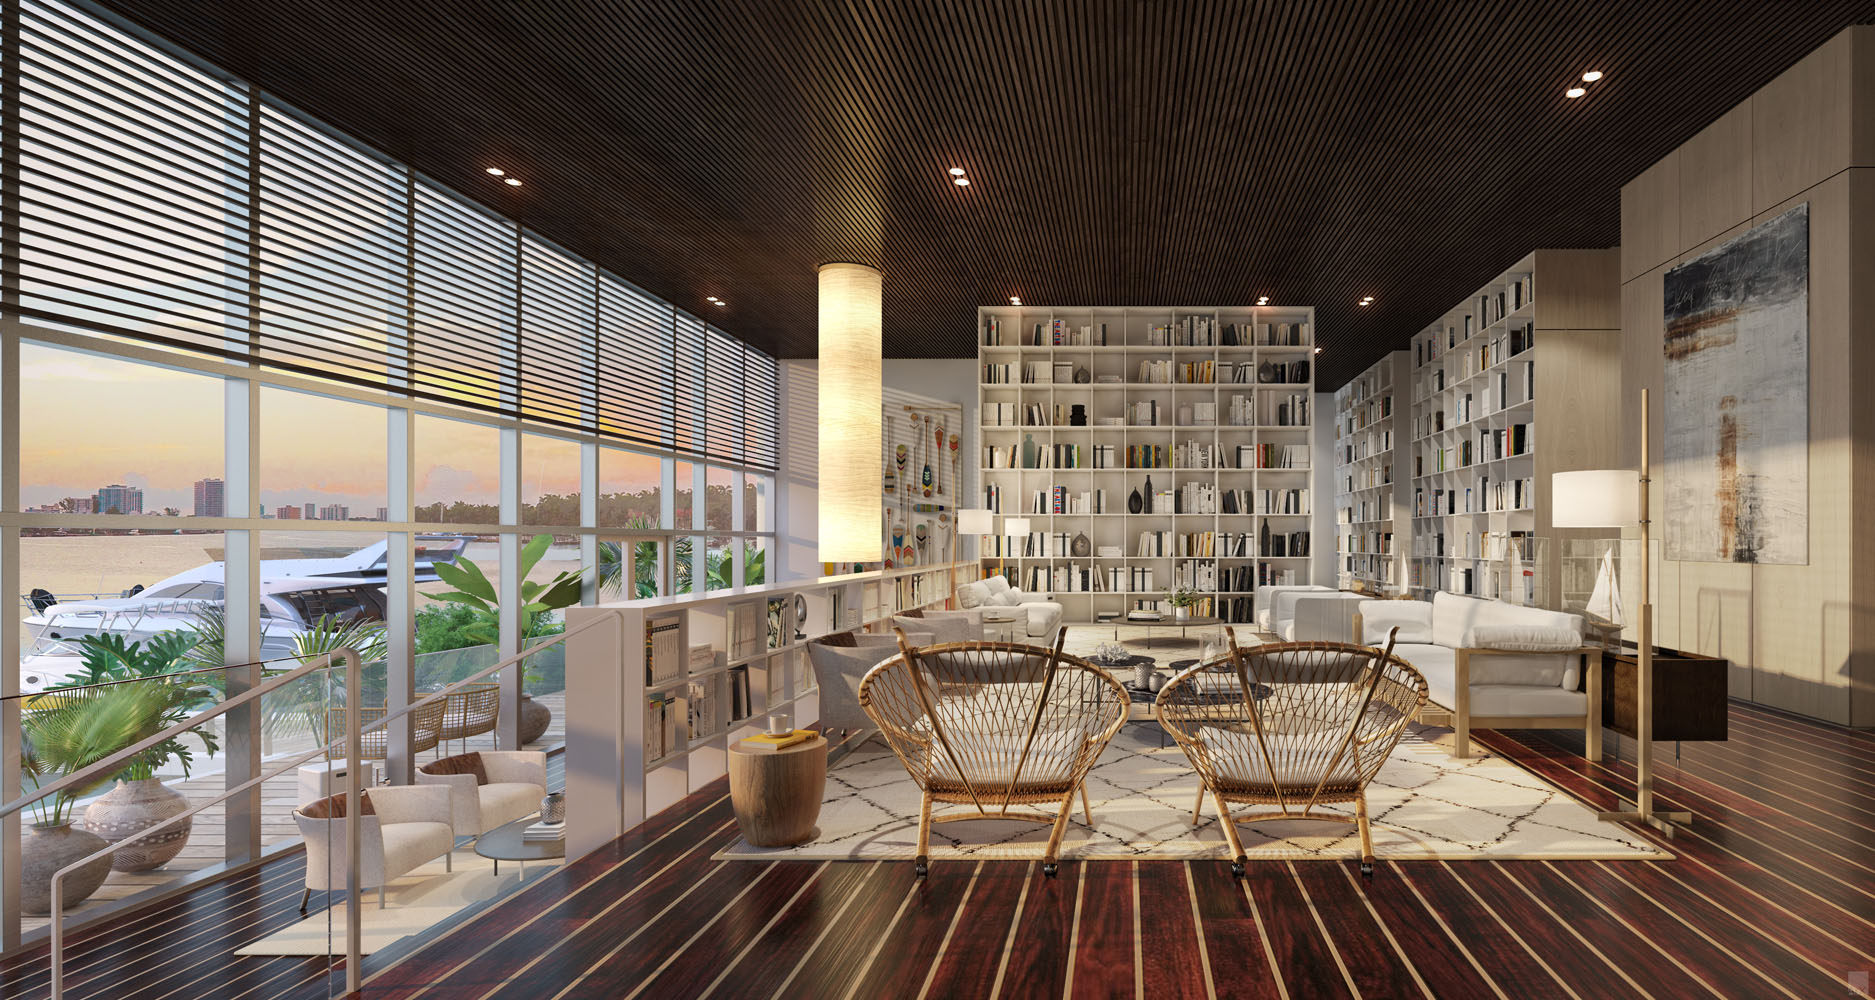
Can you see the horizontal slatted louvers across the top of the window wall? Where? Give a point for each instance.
(170, 205)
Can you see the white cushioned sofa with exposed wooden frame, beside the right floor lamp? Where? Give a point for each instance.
(1492, 665)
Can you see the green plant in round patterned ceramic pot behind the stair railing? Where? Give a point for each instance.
(140, 798)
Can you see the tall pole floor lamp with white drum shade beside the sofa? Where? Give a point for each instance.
(1619, 498)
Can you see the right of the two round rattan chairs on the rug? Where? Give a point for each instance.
(1295, 725)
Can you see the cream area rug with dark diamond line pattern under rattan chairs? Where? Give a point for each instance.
(1422, 806)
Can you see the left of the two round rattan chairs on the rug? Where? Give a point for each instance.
(995, 725)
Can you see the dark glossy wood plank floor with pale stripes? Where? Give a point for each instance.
(1771, 894)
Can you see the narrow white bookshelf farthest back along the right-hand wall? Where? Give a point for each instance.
(1373, 496)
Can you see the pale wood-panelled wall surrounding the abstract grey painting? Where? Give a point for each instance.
(1797, 635)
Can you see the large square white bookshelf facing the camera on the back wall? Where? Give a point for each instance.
(1201, 427)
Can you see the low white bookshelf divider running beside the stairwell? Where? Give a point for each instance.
(622, 766)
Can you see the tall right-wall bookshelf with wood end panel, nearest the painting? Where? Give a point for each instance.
(1535, 348)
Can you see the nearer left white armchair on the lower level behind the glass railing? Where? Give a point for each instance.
(400, 826)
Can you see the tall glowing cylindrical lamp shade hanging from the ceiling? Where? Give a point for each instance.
(850, 414)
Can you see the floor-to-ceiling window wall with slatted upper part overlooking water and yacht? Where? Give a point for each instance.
(241, 350)
